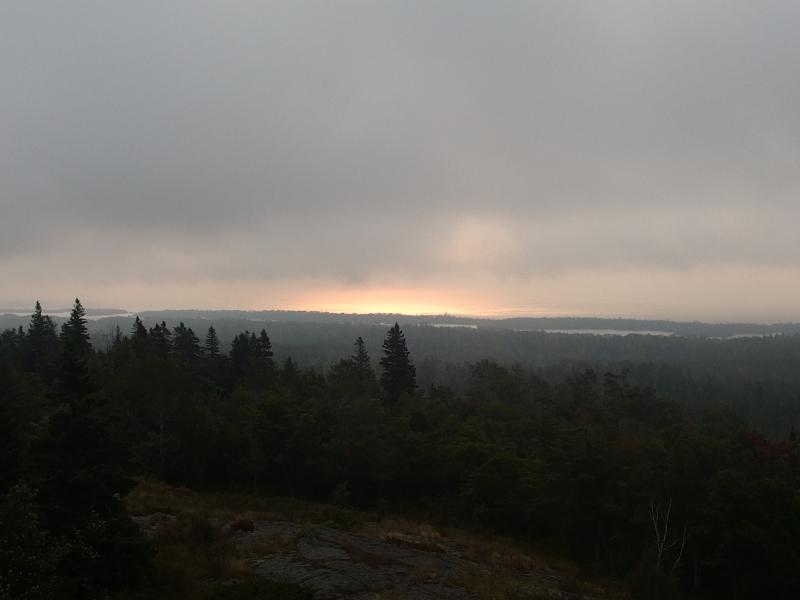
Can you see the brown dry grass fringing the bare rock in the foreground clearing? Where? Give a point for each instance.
(191, 551)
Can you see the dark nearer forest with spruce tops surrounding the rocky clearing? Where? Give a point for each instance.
(677, 498)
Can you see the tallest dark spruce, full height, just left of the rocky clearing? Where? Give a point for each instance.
(80, 476)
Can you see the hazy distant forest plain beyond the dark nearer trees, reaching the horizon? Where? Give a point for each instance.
(755, 376)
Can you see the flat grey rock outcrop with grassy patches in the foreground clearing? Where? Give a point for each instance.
(334, 565)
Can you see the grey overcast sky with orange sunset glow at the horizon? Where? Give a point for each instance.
(609, 158)
